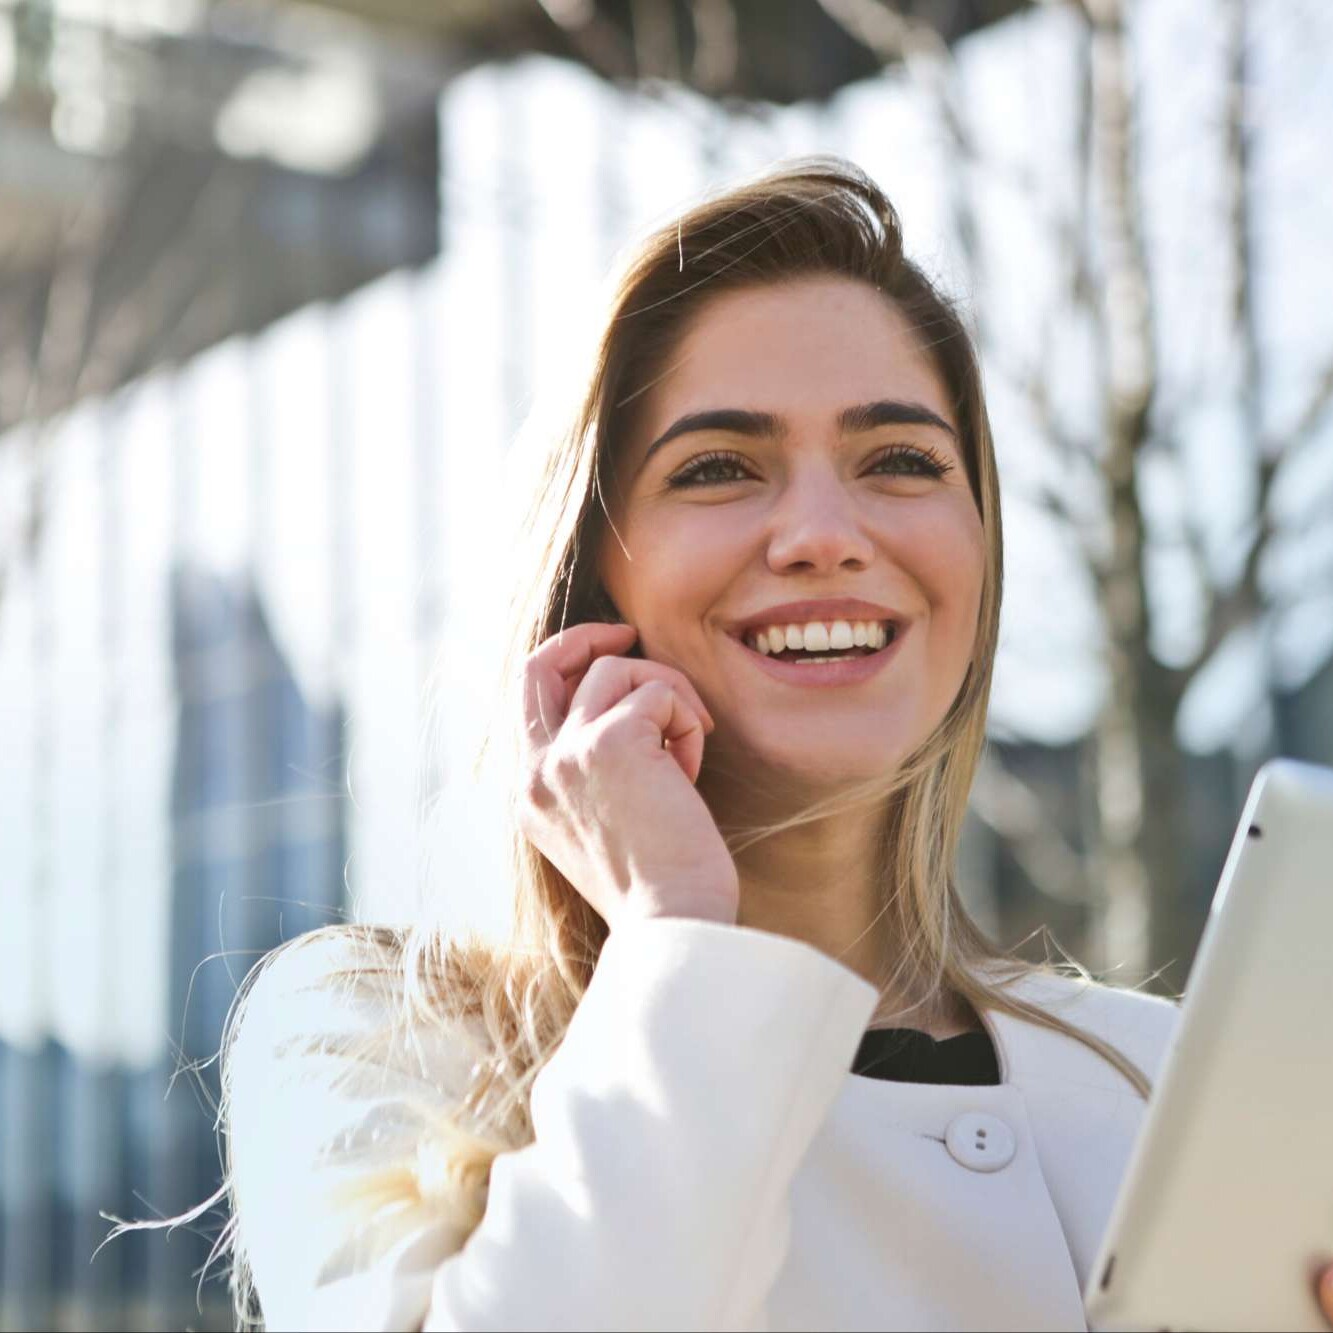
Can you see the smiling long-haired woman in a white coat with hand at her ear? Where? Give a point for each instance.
(746, 1063)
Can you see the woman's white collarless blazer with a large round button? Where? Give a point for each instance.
(703, 1156)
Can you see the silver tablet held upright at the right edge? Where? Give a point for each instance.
(1227, 1204)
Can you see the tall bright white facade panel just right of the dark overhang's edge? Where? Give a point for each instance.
(465, 871)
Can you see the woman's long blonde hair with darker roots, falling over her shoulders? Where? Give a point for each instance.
(818, 217)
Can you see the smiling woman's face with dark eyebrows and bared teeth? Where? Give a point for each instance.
(798, 467)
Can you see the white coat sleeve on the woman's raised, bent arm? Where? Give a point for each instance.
(668, 1128)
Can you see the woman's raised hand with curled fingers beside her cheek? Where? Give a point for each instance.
(613, 748)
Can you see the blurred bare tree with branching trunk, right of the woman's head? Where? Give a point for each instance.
(1135, 871)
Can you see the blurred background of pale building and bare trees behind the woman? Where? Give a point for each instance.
(279, 285)
